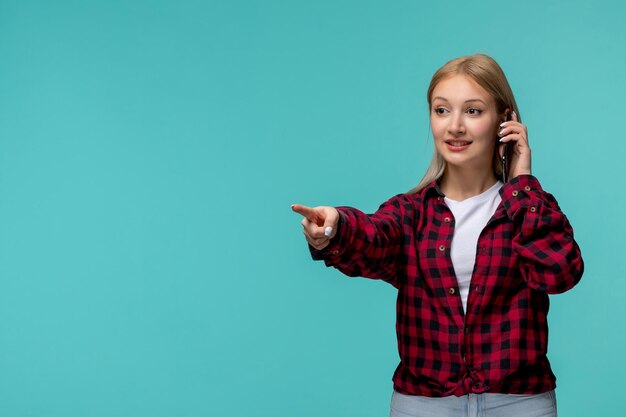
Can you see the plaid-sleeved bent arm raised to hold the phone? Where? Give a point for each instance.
(550, 259)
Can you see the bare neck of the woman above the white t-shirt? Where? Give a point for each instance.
(462, 183)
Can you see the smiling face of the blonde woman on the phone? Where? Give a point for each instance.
(465, 123)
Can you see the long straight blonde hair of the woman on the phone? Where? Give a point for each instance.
(486, 72)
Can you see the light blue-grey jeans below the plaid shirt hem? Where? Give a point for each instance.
(475, 405)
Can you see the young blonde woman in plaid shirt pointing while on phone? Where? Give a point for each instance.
(473, 254)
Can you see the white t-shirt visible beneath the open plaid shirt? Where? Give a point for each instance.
(471, 216)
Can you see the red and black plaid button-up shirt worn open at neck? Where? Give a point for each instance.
(526, 251)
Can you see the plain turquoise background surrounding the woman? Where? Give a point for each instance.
(150, 150)
